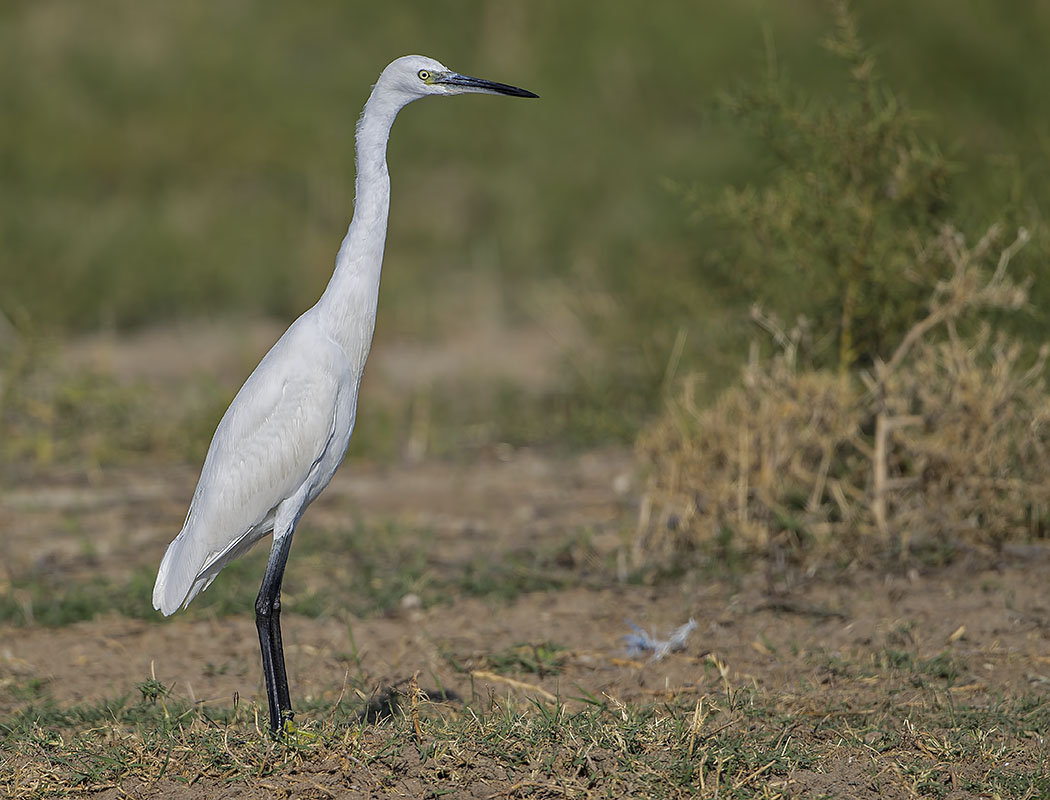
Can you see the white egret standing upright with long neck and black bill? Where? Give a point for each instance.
(287, 431)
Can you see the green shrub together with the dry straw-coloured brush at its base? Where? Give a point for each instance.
(929, 426)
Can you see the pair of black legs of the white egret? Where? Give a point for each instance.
(268, 624)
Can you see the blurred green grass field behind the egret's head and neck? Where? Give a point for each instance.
(213, 171)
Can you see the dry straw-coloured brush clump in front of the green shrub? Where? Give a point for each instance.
(946, 443)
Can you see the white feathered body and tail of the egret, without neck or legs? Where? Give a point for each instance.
(280, 443)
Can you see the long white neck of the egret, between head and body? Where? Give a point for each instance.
(348, 307)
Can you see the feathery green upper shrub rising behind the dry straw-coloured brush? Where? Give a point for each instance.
(855, 191)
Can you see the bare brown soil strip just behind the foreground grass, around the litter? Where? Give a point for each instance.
(779, 646)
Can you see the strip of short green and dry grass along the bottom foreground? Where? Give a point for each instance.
(737, 744)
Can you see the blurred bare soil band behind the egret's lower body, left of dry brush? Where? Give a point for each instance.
(109, 523)
